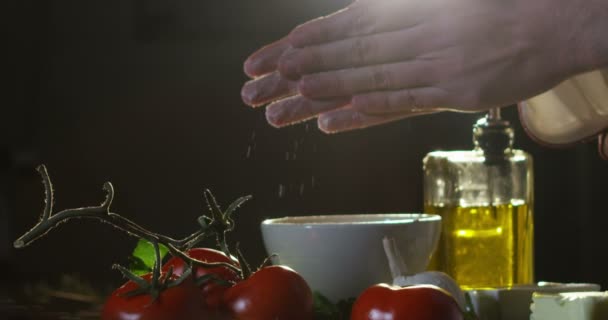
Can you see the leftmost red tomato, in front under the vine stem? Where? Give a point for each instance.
(179, 302)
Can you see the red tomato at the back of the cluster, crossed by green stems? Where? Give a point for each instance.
(212, 291)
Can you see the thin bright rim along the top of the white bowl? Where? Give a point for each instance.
(361, 219)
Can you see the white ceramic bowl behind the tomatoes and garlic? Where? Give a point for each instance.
(341, 255)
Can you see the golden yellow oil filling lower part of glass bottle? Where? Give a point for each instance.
(485, 246)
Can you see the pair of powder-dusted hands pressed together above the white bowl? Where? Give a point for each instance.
(383, 60)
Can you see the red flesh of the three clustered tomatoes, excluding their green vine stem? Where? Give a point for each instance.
(273, 292)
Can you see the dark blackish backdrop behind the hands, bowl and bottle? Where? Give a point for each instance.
(146, 94)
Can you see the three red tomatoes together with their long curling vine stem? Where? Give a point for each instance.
(173, 292)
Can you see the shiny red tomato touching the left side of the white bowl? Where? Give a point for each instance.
(275, 292)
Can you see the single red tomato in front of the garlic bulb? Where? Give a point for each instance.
(420, 302)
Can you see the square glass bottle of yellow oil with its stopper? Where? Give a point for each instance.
(485, 199)
